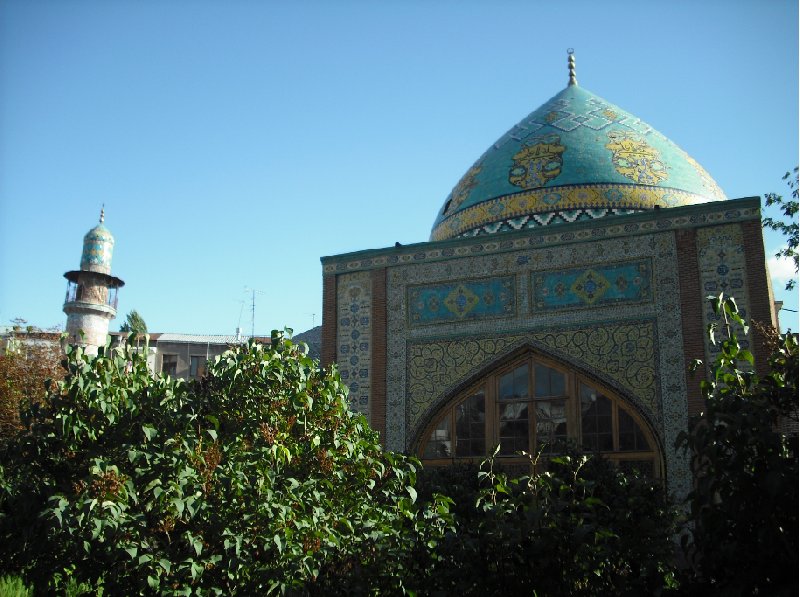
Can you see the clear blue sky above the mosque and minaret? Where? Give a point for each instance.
(234, 143)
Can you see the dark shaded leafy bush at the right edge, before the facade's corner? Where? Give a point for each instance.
(744, 458)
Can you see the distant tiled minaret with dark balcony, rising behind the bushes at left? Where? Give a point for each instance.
(91, 301)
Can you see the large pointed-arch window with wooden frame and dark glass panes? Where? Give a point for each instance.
(539, 406)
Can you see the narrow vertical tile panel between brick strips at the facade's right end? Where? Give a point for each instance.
(721, 260)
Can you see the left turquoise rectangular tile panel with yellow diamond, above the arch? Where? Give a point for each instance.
(461, 300)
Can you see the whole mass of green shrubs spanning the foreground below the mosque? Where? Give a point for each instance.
(259, 479)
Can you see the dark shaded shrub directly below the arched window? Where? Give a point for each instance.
(581, 527)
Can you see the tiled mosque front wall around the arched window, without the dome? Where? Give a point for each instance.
(605, 297)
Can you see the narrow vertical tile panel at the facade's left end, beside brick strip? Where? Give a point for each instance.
(354, 336)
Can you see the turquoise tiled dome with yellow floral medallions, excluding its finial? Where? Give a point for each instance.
(577, 157)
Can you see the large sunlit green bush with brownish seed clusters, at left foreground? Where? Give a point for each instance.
(256, 479)
